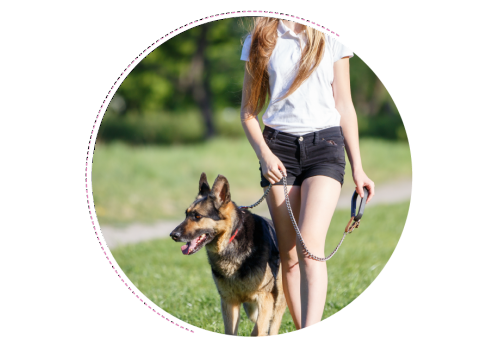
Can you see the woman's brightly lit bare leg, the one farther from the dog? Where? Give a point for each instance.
(319, 196)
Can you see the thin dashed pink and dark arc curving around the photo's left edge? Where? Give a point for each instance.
(105, 103)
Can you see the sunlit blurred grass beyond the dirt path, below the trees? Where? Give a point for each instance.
(148, 183)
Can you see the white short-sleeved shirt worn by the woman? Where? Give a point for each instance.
(311, 107)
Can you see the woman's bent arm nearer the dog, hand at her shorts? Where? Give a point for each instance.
(270, 164)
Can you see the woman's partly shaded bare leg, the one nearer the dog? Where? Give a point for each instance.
(286, 236)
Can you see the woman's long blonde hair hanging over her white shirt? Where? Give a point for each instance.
(264, 36)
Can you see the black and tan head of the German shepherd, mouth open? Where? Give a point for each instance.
(208, 218)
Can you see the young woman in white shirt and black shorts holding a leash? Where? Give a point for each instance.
(309, 121)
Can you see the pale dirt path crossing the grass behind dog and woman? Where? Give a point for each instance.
(392, 192)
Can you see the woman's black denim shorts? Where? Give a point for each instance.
(321, 153)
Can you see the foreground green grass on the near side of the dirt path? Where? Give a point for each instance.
(183, 288)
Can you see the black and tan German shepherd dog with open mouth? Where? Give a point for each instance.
(242, 250)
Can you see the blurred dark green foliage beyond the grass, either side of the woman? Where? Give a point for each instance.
(156, 101)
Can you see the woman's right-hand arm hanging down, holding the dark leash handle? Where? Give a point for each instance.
(344, 105)
